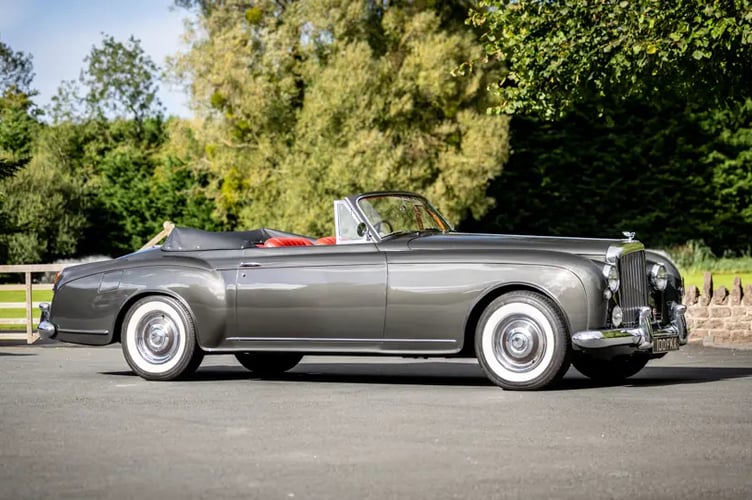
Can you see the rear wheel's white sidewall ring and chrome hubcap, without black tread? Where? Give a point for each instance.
(156, 337)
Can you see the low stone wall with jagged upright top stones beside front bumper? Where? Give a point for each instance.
(720, 317)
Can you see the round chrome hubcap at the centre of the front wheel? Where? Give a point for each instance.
(519, 343)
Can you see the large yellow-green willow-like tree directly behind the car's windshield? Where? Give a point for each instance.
(303, 102)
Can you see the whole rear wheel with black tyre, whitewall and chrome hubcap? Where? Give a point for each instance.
(159, 339)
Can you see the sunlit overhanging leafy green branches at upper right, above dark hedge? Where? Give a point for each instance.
(562, 53)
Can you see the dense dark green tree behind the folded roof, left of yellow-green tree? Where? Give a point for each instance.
(137, 185)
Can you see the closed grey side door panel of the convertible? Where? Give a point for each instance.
(316, 295)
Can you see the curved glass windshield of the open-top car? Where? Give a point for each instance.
(396, 214)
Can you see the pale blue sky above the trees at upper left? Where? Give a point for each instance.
(59, 34)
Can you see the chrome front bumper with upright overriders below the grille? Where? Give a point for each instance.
(641, 337)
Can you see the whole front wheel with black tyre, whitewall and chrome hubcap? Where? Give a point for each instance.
(522, 342)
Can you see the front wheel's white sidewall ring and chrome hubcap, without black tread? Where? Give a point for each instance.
(518, 342)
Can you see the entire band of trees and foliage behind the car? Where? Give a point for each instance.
(604, 117)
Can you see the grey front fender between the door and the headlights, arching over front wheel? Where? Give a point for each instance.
(415, 288)
